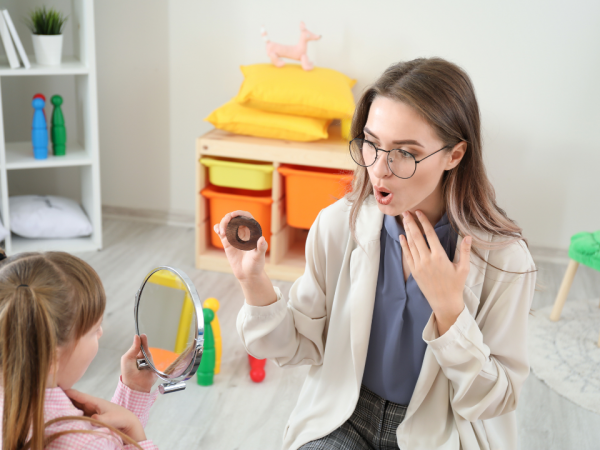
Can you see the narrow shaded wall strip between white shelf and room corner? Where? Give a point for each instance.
(132, 62)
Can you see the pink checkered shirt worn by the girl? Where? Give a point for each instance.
(57, 404)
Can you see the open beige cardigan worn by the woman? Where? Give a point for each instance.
(469, 404)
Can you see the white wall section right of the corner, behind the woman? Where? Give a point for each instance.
(535, 66)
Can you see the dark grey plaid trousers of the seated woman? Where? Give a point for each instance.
(372, 426)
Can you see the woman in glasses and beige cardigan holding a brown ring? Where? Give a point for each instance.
(414, 342)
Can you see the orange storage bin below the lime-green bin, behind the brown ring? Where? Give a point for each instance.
(225, 200)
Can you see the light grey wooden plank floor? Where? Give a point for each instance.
(236, 413)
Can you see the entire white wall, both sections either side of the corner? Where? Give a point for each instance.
(164, 65)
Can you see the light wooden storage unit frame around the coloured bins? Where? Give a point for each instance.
(285, 261)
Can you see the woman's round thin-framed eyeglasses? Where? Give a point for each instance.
(401, 163)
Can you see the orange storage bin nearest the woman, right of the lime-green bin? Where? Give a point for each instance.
(310, 189)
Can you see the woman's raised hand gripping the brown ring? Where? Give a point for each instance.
(246, 265)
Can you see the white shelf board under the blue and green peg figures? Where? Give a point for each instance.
(19, 155)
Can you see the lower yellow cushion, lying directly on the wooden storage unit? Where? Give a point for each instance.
(240, 119)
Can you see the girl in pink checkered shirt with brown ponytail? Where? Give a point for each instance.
(51, 308)
